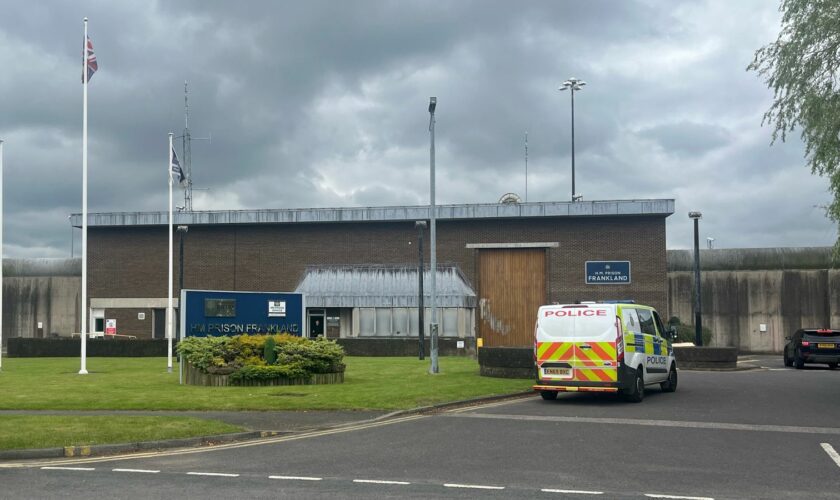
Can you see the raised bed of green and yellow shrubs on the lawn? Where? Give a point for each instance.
(250, 360)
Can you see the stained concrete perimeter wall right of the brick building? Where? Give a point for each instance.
(742, 289)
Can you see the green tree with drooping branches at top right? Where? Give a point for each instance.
(801, 67)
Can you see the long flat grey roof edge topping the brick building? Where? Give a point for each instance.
(660, 208)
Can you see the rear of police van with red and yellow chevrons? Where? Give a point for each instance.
(576, 343)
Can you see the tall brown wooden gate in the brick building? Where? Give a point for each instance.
(511, 289)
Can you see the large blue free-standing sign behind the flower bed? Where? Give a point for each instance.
(209, 313)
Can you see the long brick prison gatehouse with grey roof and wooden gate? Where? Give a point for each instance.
(497, 263)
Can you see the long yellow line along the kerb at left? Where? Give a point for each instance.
(220, 447)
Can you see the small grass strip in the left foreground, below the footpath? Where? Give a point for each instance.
(28, 431)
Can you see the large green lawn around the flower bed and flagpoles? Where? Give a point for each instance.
(143, 384)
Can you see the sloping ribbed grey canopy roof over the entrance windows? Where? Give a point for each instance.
(383, 286)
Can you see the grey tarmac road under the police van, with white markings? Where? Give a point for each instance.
(769, 433)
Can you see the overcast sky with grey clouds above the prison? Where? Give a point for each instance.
(324, 104)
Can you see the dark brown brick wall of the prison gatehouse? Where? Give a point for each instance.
(131, 261)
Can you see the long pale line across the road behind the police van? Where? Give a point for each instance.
(793, 429)
